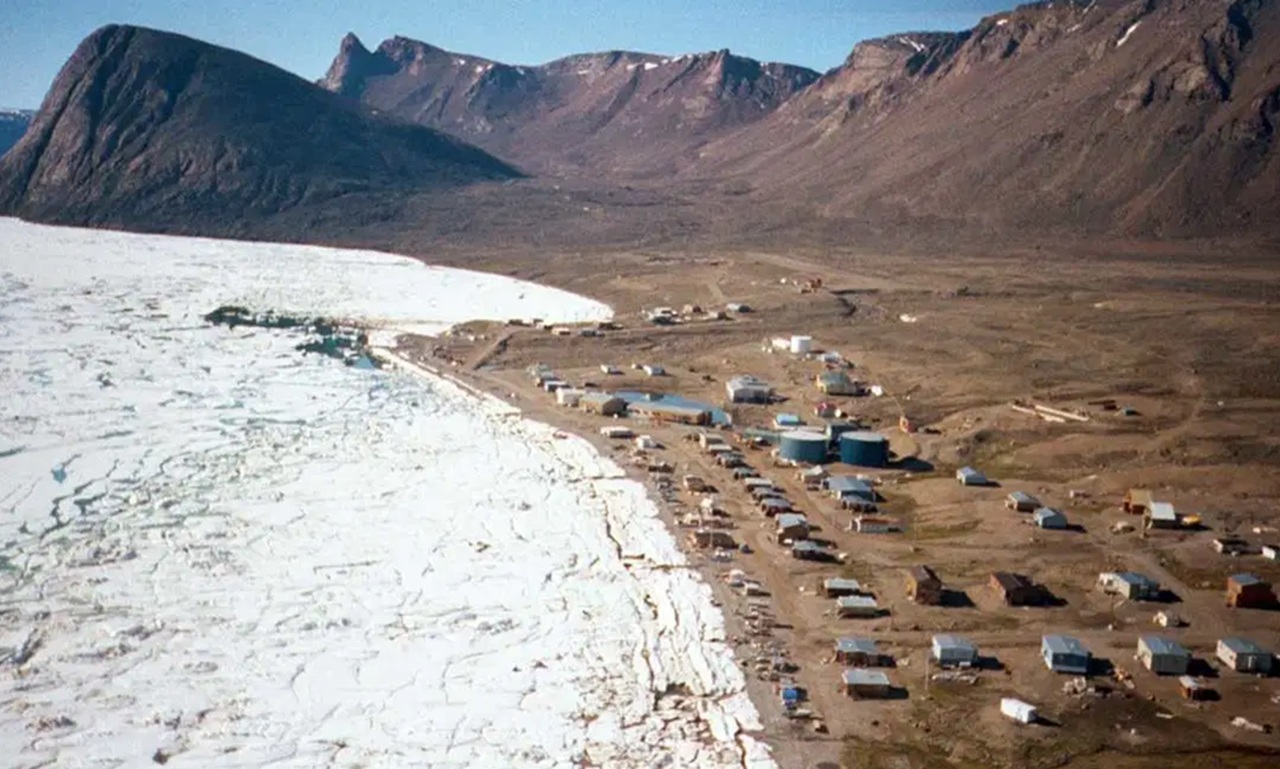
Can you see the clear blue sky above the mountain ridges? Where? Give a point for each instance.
(38, 36)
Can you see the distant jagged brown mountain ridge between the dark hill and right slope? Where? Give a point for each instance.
(618, 113)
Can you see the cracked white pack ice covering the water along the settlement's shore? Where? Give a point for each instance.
(217, 552)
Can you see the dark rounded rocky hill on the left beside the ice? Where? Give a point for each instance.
(157, 131)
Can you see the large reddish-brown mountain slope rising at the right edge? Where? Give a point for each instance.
(1135, 117)
